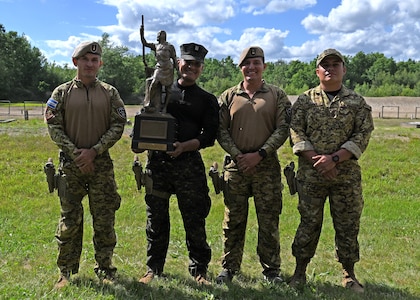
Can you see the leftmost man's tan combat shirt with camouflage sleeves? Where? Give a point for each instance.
(81, 117)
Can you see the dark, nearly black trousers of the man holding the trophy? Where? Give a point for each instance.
(186, 178)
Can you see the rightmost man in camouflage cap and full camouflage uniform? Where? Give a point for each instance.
(330, 129)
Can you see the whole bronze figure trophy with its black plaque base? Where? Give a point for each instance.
(154, 128)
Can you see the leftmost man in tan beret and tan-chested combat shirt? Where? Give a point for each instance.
(85, 118)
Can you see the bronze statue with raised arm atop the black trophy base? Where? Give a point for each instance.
(163, 75)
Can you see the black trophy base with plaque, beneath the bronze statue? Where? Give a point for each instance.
(154, 131)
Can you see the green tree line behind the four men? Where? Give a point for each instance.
(25, 74)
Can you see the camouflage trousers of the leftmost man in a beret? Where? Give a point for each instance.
(104, 200)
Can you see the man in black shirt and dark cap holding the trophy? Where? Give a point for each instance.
(181, 172)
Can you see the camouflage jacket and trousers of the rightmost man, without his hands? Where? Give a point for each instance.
(326, 126)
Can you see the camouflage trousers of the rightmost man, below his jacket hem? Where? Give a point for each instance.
(346, 205)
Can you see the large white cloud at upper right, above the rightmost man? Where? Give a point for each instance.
(385, 26)
